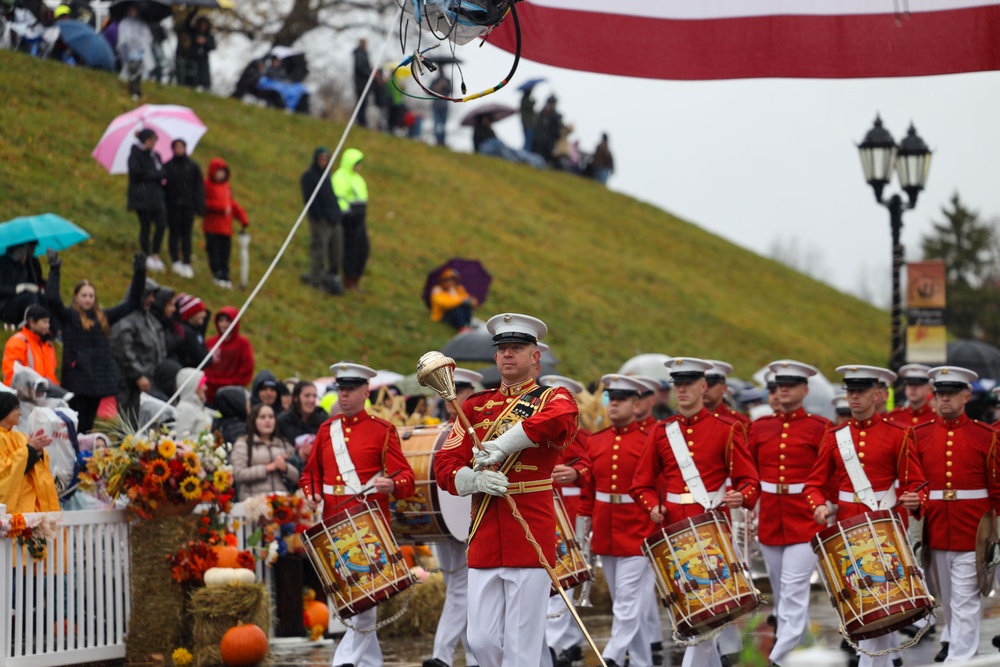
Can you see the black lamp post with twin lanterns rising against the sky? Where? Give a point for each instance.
(911, 161)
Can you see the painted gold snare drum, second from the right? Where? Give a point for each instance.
(699, 576)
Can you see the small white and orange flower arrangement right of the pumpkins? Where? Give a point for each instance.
(280, 520)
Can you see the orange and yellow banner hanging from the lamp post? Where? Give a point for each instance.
(926, 336)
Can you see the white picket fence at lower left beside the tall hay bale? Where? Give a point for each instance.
(73, 606)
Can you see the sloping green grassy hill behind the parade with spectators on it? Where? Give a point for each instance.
(611, 276)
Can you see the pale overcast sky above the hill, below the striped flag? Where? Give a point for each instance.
(762, 161)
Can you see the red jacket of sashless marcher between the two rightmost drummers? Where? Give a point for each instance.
(785, 446)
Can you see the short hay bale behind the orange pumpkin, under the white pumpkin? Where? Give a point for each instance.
(215, 609)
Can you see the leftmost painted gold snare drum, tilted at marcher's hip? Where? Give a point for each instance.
(357, 559)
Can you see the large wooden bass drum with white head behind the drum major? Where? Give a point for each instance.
(431, 514)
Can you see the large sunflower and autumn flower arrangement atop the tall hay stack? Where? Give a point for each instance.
(158, 474)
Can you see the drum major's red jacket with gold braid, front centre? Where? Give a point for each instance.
(498, 540)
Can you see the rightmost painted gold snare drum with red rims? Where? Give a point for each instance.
(871, 575)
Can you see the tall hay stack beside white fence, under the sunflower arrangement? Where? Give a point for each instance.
(156, 624)
